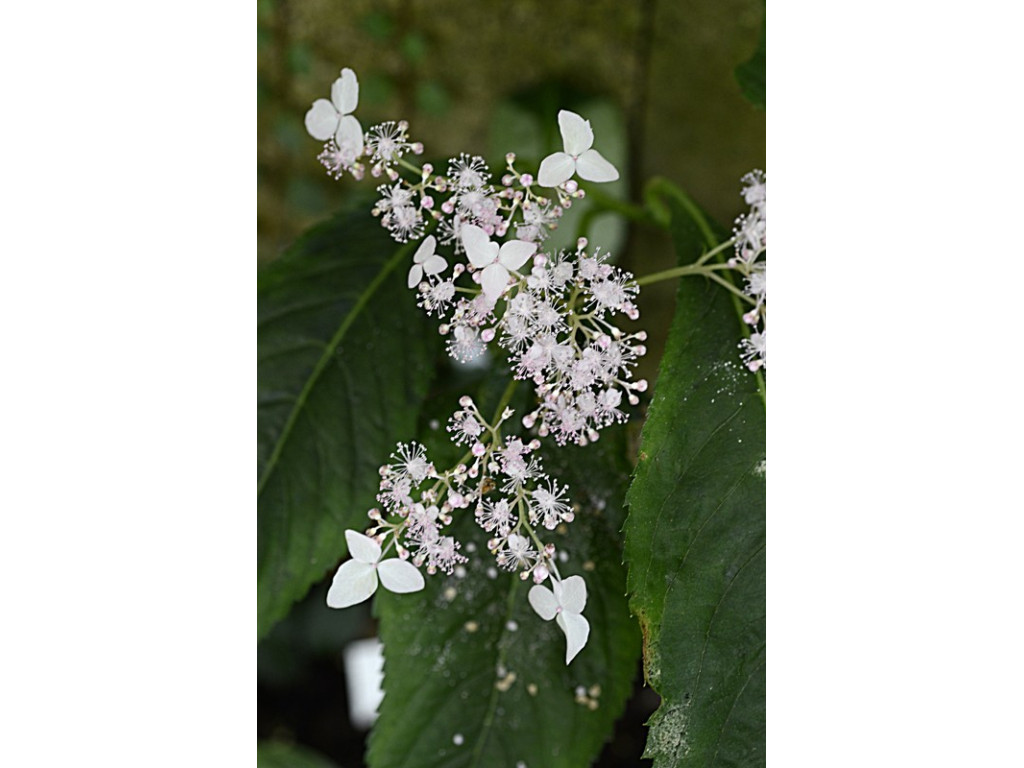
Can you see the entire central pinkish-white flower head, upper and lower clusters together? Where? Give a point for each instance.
(552, 313)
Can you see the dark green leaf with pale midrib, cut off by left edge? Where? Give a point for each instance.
(344, 369)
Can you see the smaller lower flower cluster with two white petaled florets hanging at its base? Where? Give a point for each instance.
(503, 482)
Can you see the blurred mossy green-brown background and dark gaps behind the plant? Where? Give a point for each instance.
(657, 79)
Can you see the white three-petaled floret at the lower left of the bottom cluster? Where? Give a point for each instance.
(357, 579)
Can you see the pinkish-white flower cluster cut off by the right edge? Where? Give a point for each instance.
(751, 258)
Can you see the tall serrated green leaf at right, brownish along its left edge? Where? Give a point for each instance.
(696, 532)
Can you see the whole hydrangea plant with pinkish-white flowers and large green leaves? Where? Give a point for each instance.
(524, 481)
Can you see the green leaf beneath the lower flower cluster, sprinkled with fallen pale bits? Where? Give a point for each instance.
(465, 688)
